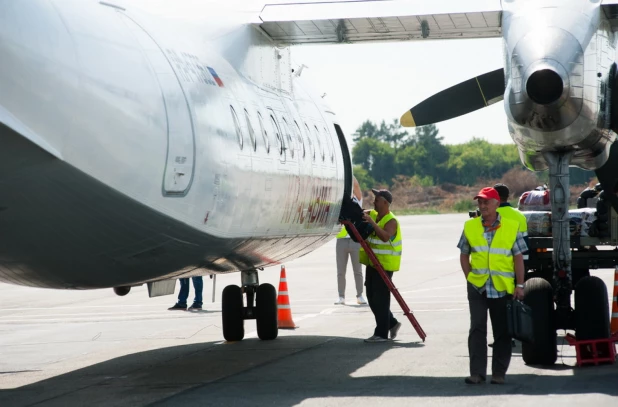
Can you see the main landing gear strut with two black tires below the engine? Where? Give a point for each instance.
(590, 319)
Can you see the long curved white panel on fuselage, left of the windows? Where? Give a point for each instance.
(180, 159)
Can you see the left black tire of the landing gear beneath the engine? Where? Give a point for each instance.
(544, 351)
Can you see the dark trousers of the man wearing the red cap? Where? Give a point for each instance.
(477, 338)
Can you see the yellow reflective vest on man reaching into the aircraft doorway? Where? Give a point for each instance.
(387, 253)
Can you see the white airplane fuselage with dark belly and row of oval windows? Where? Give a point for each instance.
(138, 149)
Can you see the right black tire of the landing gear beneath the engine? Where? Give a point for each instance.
(591, 309)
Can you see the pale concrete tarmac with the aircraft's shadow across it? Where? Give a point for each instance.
(93, 348)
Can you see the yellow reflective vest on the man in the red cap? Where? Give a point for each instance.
(495, 260)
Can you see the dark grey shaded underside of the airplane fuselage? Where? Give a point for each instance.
(63, 229)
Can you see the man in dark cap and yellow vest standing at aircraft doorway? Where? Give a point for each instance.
(385, 241)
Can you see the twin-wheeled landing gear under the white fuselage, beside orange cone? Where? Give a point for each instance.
(261, 300)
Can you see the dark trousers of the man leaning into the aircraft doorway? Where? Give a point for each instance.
(379, 298)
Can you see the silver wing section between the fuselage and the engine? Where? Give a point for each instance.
(380, 20)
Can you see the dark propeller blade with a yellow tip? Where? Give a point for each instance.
(465, 97)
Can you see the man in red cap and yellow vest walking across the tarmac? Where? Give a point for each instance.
(491, 258)
